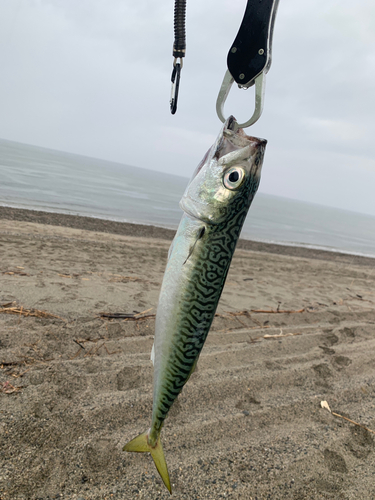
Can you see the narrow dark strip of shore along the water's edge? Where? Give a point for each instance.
(151, 231)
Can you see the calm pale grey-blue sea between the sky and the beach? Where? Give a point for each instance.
(43, 179)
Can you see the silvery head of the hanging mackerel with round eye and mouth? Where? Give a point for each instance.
(227, 178)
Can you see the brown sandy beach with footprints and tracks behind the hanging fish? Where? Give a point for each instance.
(248, 425)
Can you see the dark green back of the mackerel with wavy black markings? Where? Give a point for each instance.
(201, 295)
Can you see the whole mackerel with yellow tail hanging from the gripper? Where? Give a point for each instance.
(215, 206)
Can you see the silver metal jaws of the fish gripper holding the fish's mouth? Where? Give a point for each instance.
(260, 85)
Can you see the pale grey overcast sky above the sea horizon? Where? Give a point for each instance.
(93, 77)
